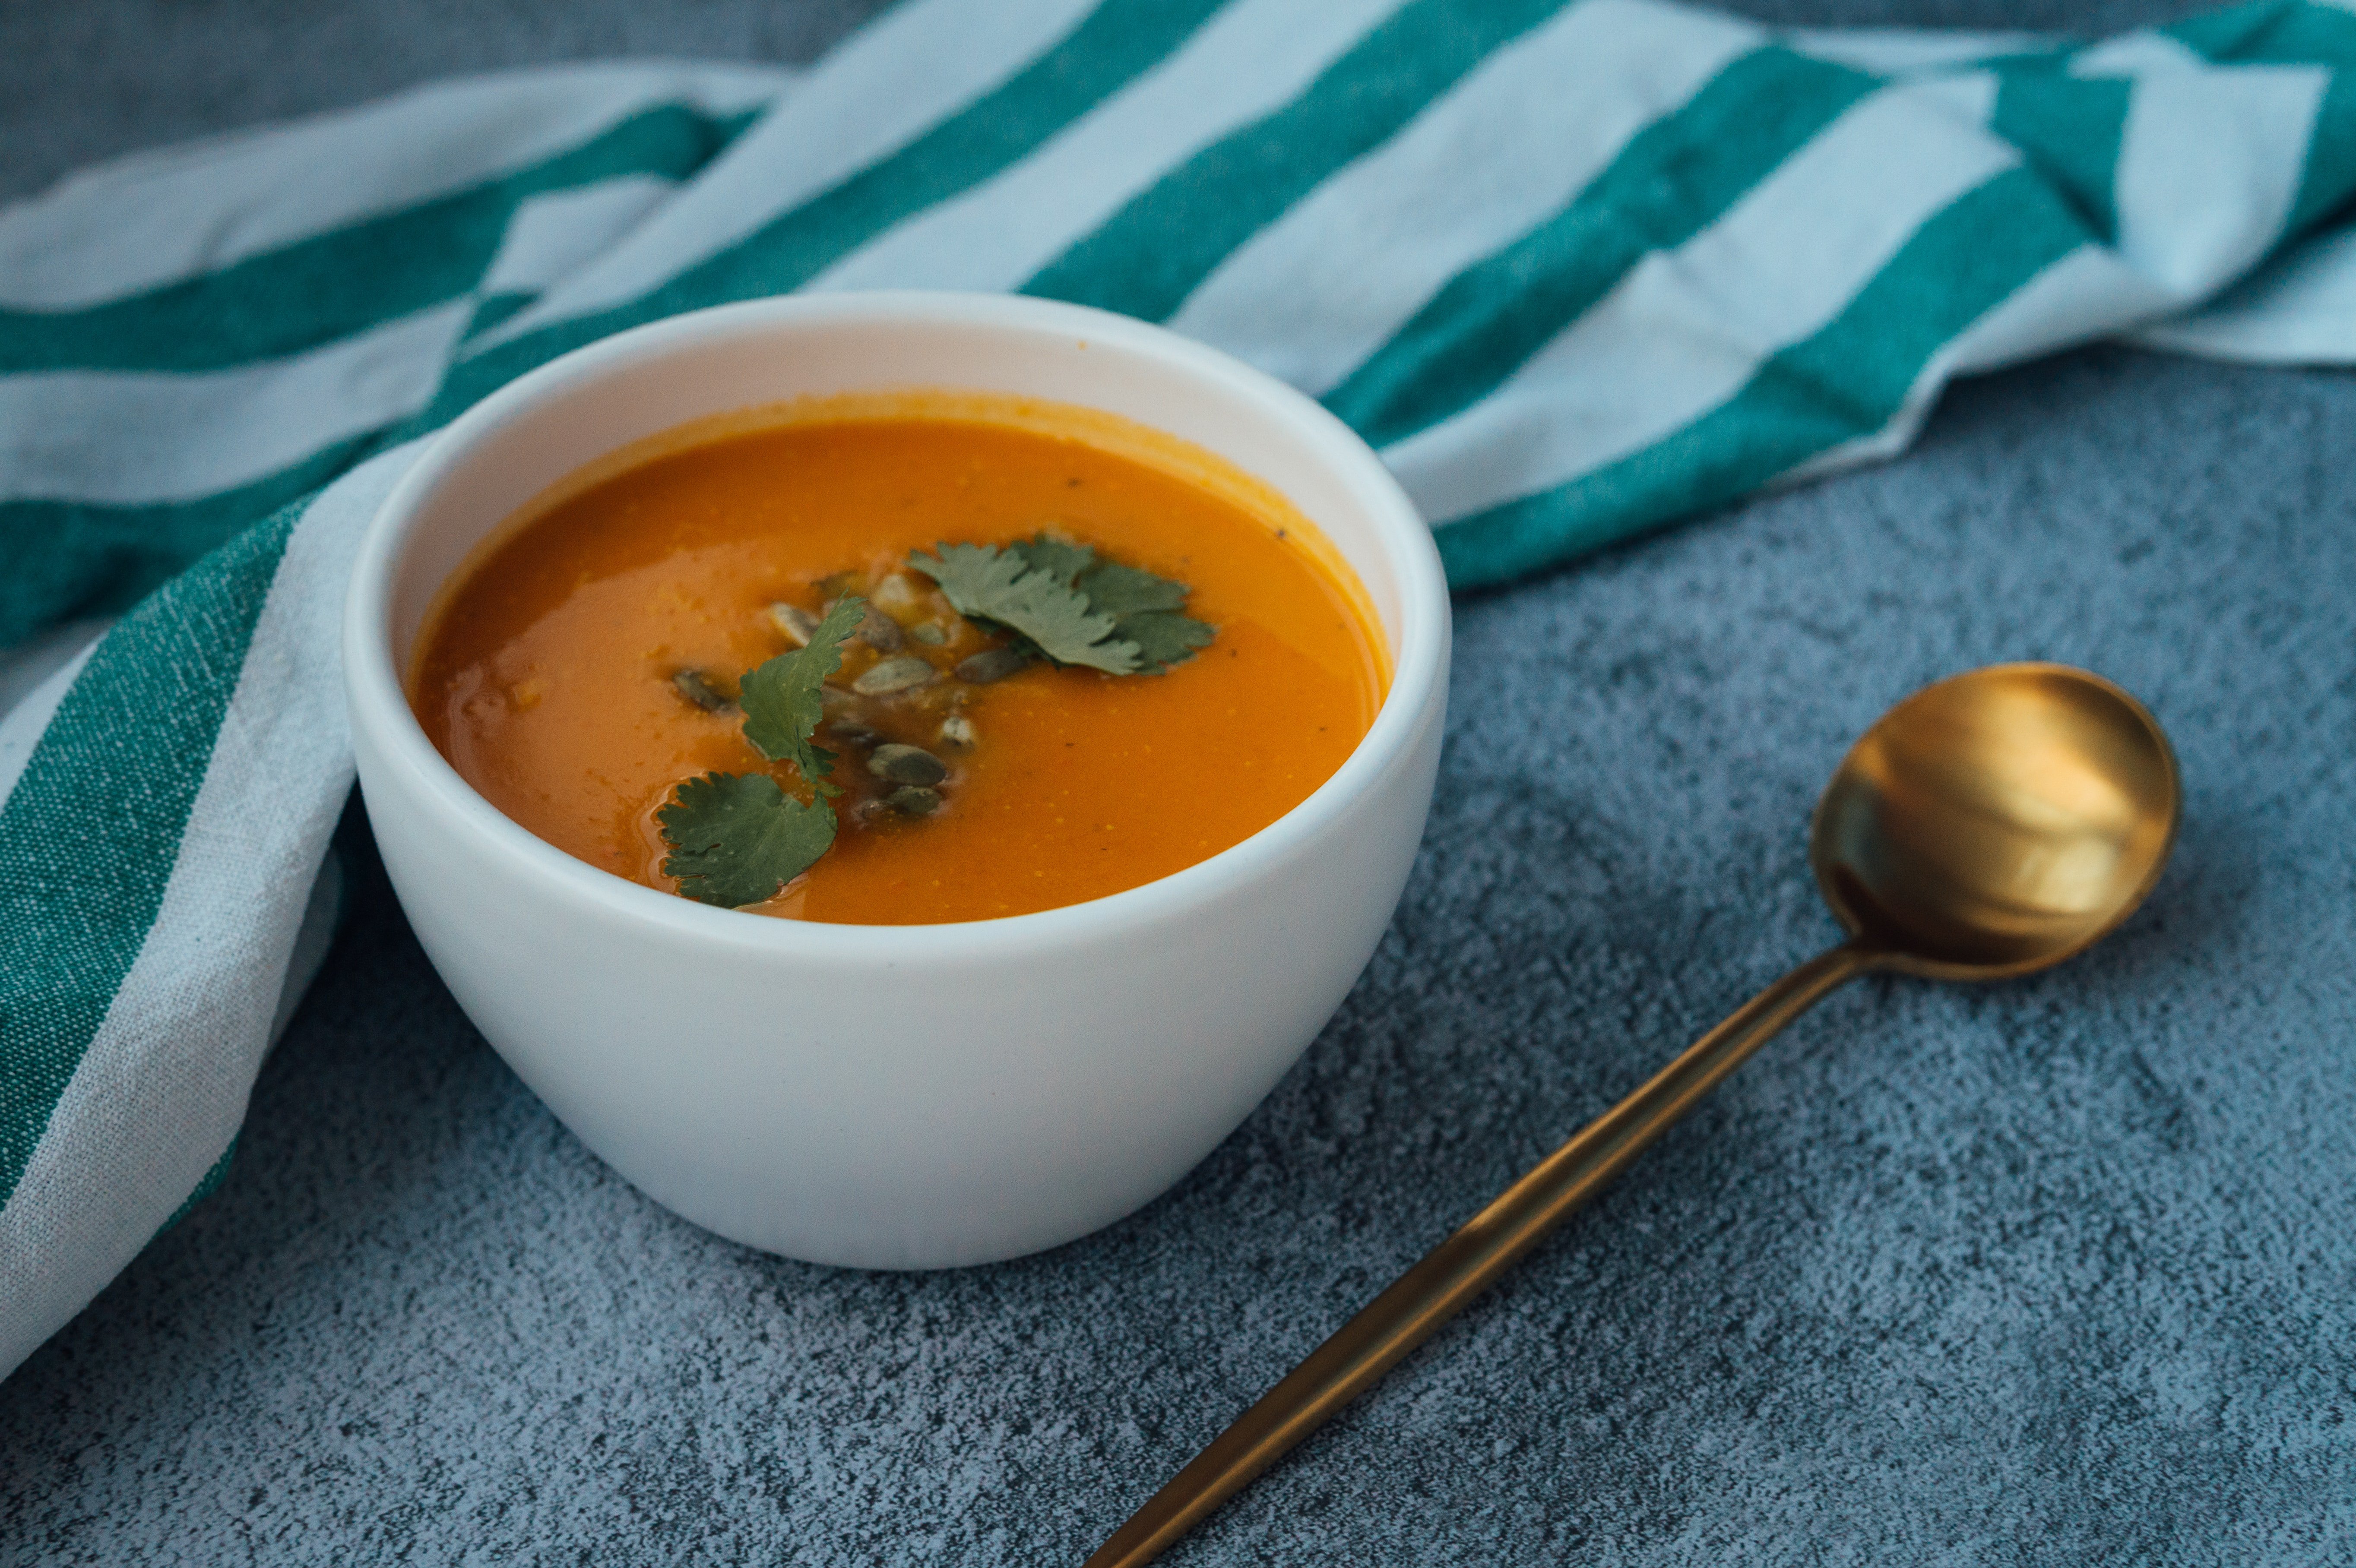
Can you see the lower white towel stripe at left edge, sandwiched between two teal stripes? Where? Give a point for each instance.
(133, 439)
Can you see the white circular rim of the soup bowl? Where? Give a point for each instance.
(378, 703)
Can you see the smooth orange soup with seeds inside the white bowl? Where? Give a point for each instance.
(590, 658)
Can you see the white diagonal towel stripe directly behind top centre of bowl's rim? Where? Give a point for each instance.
(1243, 65)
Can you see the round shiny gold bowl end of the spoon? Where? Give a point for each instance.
(1997, 823)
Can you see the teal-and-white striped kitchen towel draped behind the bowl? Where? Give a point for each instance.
(1573, 267)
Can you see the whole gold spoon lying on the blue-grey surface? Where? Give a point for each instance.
(1990, 825)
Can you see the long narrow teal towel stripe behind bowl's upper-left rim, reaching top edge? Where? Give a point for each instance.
(1111, 48)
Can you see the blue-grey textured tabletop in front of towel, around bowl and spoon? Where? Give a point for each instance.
(2053, 1273)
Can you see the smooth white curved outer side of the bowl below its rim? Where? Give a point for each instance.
(911, 1110)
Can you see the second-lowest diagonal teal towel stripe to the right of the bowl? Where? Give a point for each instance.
(1667, 185)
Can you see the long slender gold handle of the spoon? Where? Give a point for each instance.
(1467, 1263)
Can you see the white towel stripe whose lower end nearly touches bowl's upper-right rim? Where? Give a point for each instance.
(1337, 277)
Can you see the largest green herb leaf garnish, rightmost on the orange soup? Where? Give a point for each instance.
(1066, 606)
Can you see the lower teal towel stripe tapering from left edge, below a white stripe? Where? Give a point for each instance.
(77, 559)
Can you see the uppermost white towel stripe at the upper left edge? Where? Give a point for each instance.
(157, 218)
